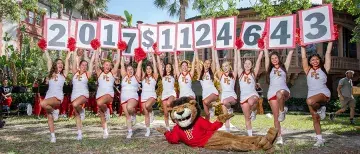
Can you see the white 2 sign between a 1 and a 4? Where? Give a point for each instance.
(203, 33)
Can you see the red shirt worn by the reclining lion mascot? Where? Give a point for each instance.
(197, 136)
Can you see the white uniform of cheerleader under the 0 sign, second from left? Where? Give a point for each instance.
(80, 86)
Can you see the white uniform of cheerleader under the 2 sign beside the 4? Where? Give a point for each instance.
(207, 86)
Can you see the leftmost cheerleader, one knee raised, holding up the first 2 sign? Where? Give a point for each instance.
(55, 95)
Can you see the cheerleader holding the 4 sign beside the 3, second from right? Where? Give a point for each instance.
(278, 91)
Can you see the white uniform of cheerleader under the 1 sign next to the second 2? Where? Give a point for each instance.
(185, 85)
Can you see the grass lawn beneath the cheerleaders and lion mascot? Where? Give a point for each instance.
(30, 135)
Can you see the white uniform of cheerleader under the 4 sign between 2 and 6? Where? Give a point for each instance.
(227, 86)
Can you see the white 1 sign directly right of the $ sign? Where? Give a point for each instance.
(166, 38)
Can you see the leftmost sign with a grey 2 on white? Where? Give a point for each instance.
(57, 32)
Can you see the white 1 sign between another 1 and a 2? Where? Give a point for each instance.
(184, 37)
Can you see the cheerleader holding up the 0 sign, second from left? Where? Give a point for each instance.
(80, 92)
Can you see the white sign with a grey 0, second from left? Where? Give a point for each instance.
(86, 31)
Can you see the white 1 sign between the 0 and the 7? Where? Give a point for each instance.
(109, 30)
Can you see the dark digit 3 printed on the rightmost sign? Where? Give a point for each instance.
(321, 29)
